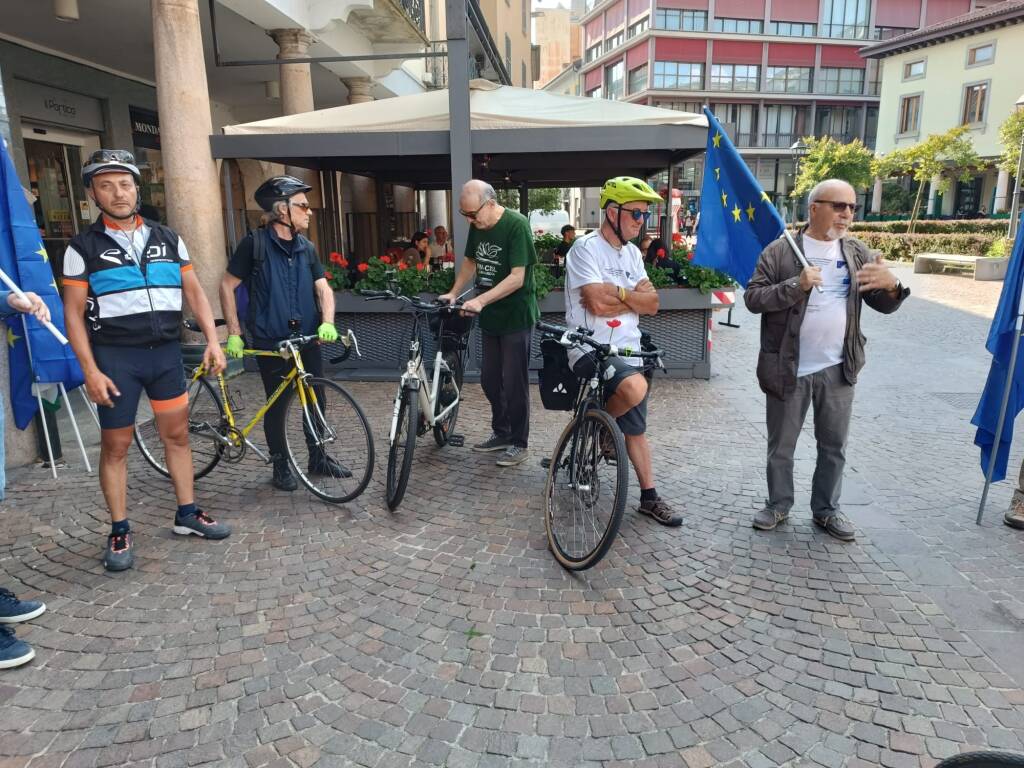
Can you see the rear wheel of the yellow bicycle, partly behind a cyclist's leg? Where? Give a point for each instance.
(206, 424)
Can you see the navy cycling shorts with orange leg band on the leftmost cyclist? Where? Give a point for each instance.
(158, 370)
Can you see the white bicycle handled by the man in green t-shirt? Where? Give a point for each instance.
(425, 403)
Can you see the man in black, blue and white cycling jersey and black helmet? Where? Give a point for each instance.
(124, 279)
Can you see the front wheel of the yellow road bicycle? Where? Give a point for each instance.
(329, 442)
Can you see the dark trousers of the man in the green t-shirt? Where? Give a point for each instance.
(505, 379)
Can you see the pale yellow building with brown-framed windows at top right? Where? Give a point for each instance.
(965, 71)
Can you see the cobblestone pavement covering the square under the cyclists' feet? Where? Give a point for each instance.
(446, 635)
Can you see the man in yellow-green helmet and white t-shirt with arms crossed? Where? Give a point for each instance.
(608, 290)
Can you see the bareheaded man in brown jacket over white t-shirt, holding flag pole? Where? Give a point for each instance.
(813, 349)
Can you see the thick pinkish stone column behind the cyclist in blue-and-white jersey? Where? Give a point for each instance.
(194, 203)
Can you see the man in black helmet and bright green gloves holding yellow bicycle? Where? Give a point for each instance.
(289, 295)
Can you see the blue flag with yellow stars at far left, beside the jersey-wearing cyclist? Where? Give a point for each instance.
(24, 260)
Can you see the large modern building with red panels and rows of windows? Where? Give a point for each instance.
(773, 71)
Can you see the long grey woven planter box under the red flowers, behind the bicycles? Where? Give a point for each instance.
(680, 328)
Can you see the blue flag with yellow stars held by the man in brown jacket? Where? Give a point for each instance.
(738, 220)
